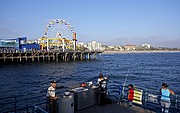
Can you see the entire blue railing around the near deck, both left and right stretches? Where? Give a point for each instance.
(143, 97)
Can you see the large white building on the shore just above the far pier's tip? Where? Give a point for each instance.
(94, 46)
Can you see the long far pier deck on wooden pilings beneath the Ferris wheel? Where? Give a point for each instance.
(46, 56)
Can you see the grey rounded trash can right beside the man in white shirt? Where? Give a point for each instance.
(66, 103)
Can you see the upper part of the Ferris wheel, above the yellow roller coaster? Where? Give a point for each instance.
(59, 29)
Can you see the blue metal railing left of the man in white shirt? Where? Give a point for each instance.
(22, 103)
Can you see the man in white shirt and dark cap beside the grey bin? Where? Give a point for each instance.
(51, 97)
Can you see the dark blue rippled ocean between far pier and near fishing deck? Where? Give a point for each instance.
(147, 70)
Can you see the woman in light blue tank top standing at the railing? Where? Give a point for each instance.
(165, 100)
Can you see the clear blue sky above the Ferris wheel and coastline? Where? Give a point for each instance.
(156, 22)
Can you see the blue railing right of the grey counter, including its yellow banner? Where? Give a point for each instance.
(143, 97)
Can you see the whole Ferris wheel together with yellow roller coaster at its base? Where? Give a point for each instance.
(57, 36)
